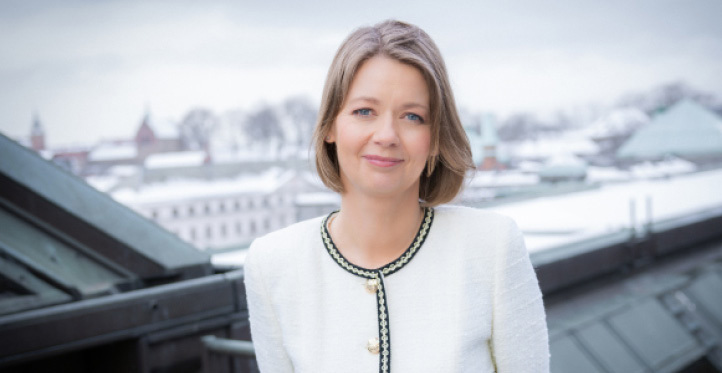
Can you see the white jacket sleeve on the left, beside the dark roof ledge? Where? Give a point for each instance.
(265, 329)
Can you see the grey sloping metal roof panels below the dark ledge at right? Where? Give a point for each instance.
(662, 319)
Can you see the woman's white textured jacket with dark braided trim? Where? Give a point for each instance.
(466, 300)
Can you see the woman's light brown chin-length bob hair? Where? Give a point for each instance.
(450, 153)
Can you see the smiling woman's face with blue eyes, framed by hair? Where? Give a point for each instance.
(382, 133)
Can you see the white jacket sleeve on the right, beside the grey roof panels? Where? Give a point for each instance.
(519, 339)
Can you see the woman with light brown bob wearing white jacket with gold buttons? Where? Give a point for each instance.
(390, 281)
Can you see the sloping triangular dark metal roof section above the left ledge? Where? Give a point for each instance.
(62, 240)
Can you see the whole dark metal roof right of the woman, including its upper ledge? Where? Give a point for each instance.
(637, 301)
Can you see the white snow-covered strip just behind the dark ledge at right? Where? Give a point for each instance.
(553, 221)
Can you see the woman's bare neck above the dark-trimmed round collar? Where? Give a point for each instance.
(372, 232)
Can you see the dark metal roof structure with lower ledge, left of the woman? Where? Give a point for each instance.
(88, 285)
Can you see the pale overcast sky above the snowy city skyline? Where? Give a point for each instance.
(91, 68)
